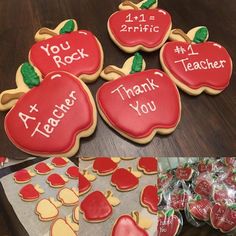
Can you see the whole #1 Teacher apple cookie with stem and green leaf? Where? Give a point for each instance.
(194, 64)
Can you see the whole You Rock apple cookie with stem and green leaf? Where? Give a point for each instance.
(76, 52)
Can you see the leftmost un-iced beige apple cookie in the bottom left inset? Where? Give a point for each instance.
(47, 209)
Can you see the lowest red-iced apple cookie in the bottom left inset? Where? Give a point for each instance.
(30, 192)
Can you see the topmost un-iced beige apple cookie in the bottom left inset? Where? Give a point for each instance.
(68, 197)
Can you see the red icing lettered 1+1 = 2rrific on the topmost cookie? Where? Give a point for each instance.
(143, 27)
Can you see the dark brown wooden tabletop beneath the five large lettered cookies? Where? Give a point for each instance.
(207, 127)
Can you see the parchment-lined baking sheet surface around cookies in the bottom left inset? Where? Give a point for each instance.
(25, 210)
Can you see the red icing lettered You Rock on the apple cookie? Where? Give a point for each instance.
(77, 53)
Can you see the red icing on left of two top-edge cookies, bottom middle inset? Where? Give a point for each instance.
(104, 165)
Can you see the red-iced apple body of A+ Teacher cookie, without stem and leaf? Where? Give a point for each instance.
(44, 128)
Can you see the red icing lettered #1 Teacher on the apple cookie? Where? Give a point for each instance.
(211, 67)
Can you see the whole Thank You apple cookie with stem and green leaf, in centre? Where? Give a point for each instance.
(148, 99)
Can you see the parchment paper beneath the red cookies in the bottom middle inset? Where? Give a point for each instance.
(129, 200)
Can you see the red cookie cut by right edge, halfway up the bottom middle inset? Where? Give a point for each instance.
(149, 198)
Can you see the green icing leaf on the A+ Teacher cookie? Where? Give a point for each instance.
(30, 77)
